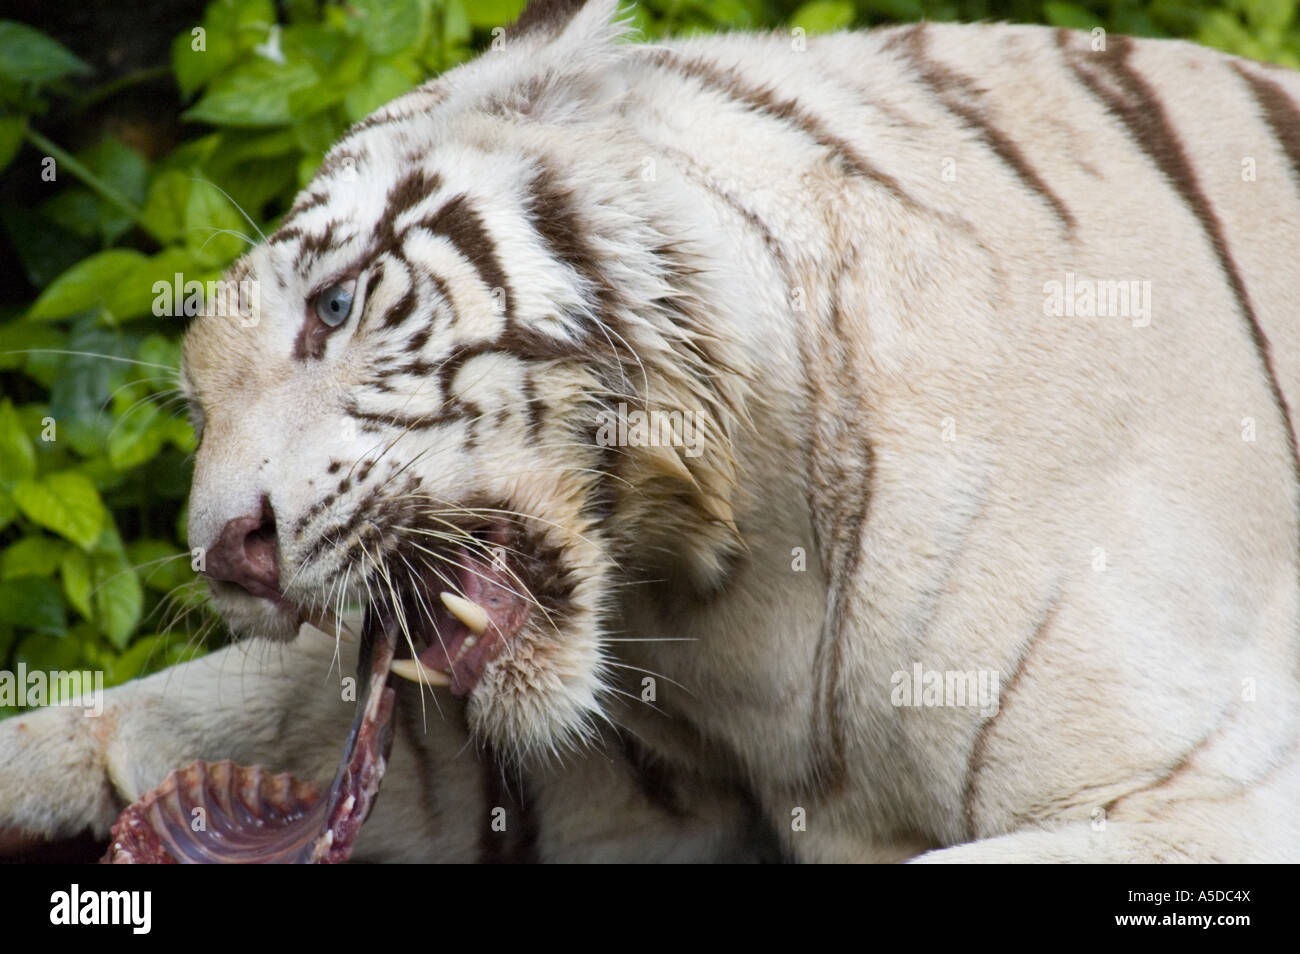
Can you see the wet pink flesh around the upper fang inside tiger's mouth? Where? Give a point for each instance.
(473, 630)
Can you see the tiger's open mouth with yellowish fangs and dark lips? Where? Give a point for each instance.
(460, 608)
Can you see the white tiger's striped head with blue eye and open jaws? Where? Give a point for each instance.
(476, 385)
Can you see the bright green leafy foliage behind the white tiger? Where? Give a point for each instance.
(94, 458)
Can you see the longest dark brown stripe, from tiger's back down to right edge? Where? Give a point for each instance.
(1137, 106)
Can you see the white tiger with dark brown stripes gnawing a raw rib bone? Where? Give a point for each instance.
(804, 383)
